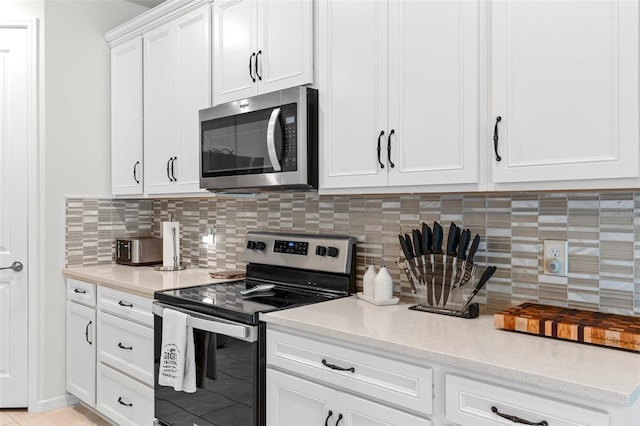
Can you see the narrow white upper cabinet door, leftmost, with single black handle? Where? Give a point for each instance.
(126, 118)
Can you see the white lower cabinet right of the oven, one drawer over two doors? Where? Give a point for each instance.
(314, 381)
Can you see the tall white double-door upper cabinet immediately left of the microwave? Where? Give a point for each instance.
(177, 84)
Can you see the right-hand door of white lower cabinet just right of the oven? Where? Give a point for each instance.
(362, 412)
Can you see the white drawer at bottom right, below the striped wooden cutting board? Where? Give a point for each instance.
(470, 402)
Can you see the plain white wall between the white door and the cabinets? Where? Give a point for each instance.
(74, 155)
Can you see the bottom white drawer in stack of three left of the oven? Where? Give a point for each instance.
(122, 399)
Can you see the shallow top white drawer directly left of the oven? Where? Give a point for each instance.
(125, 305)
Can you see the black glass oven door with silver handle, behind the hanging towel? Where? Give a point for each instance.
(230, 374)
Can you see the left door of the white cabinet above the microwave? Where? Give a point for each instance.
(234, 49)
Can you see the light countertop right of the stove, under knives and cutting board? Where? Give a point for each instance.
(601, 374)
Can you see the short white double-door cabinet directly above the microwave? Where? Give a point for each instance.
(261, 46)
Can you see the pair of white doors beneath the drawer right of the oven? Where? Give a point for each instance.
(292, 401)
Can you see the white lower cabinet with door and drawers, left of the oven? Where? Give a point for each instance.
(110, 352)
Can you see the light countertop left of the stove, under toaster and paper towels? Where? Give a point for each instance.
(142, 280)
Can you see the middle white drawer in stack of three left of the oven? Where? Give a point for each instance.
(126, 346)
